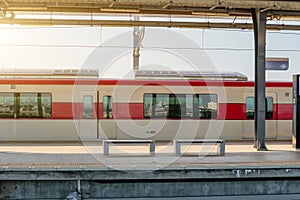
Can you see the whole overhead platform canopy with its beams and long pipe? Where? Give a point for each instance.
(84, 12)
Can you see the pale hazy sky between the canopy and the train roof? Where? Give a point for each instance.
(110, 50)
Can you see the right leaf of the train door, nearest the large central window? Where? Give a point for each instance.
(107, 128)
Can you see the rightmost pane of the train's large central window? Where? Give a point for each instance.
(208, 106)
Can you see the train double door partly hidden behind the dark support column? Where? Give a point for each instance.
(248, 122)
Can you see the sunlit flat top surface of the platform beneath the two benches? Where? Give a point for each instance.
(89, 155)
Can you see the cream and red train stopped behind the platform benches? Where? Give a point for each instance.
(77, 105)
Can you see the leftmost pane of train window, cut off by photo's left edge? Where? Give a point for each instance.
(7, 105)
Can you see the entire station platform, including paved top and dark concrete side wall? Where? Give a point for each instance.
(54, 170)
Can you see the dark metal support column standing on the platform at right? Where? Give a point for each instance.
(259, 22)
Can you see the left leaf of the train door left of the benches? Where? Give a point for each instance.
(87, 116)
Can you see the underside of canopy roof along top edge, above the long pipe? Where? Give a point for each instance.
(175, 7)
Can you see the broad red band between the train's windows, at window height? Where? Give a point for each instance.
(230, 111)
